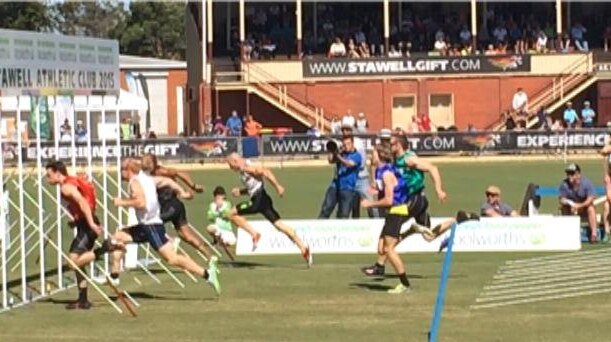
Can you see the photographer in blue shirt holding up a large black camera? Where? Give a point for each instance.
(342, 190)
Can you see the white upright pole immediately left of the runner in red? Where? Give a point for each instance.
(41, 222)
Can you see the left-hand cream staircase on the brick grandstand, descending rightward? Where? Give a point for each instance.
(257, 81)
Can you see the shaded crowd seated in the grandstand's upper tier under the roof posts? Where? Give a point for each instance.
(345, 31)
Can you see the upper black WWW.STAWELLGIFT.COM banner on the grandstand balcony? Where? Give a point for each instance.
(313, 68)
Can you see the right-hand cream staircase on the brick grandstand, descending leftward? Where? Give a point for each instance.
(569, 84)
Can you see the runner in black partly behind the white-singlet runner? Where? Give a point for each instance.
(172, 209)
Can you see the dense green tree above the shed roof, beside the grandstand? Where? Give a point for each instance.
(155, 29)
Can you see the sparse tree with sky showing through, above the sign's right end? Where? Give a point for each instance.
(99, 19)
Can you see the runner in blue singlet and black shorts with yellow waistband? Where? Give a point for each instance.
(402, 208)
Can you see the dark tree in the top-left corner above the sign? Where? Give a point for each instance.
(29, 16)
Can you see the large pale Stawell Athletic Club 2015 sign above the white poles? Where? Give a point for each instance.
(45, 63)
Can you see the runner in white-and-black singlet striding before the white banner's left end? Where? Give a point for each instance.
(252, 177)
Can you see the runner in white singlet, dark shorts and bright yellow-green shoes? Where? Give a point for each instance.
(143, 198)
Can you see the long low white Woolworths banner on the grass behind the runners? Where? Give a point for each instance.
(540, 233)
